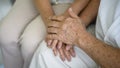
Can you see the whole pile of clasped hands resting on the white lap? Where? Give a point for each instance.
(63, 33)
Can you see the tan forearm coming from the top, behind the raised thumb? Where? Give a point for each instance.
(77, 6)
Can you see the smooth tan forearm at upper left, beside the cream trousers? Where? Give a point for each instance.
(45, 9)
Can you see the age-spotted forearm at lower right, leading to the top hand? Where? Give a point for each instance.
(105, 55)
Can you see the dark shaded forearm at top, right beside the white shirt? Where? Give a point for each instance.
(90, 12)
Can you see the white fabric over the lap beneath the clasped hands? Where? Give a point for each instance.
(44, 58)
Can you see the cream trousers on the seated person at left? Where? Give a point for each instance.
(20, 34)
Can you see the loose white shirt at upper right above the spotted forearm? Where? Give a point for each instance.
(108, 22)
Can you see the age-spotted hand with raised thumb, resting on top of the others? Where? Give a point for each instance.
(67, 31)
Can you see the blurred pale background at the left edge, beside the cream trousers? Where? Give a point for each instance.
(5, 6)
